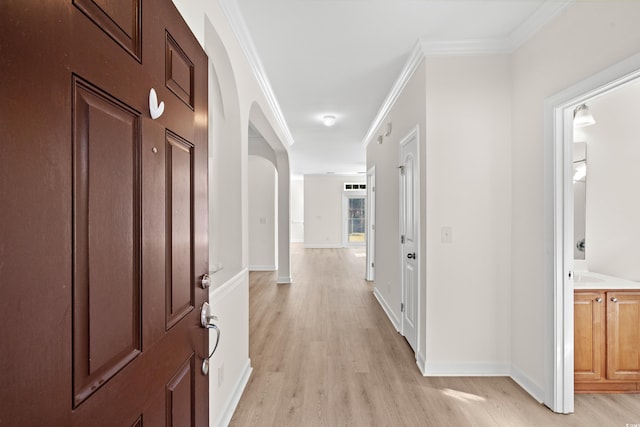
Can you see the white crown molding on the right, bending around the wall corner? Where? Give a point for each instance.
(507, 45)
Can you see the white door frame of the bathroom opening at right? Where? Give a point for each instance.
(558, 227)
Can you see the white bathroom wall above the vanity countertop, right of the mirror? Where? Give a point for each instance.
(613, 174)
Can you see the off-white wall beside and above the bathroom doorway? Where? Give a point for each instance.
(584, 39)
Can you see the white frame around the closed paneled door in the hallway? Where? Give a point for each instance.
(413, 134)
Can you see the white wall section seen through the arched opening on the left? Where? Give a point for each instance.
(262, 215)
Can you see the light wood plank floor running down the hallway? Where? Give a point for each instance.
(325, 354)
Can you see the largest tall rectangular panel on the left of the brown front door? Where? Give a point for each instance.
(106, 223)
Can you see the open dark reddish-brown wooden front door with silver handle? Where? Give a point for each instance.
(103, 215)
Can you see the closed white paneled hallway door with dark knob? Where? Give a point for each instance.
(409, 237)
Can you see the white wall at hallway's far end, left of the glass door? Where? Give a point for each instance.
(323, 209)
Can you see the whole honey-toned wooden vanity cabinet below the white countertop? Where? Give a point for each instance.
(606, 341)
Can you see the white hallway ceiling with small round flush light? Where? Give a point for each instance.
(342, 57)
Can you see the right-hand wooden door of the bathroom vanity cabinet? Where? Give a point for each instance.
(623, 335)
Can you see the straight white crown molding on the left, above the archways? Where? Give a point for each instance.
(239, 27)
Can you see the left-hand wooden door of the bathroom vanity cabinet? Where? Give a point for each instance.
(589, 335)
